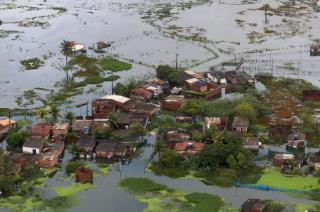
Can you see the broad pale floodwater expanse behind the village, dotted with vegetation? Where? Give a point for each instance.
(149, 33)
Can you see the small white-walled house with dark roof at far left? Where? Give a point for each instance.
(33, 145)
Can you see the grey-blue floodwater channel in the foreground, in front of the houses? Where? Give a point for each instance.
(107, 196)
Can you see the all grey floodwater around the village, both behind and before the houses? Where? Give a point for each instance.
(197, 34)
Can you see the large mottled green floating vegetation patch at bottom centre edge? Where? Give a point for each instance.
(161, 198)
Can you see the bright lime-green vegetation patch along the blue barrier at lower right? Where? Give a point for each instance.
(273, 177)
